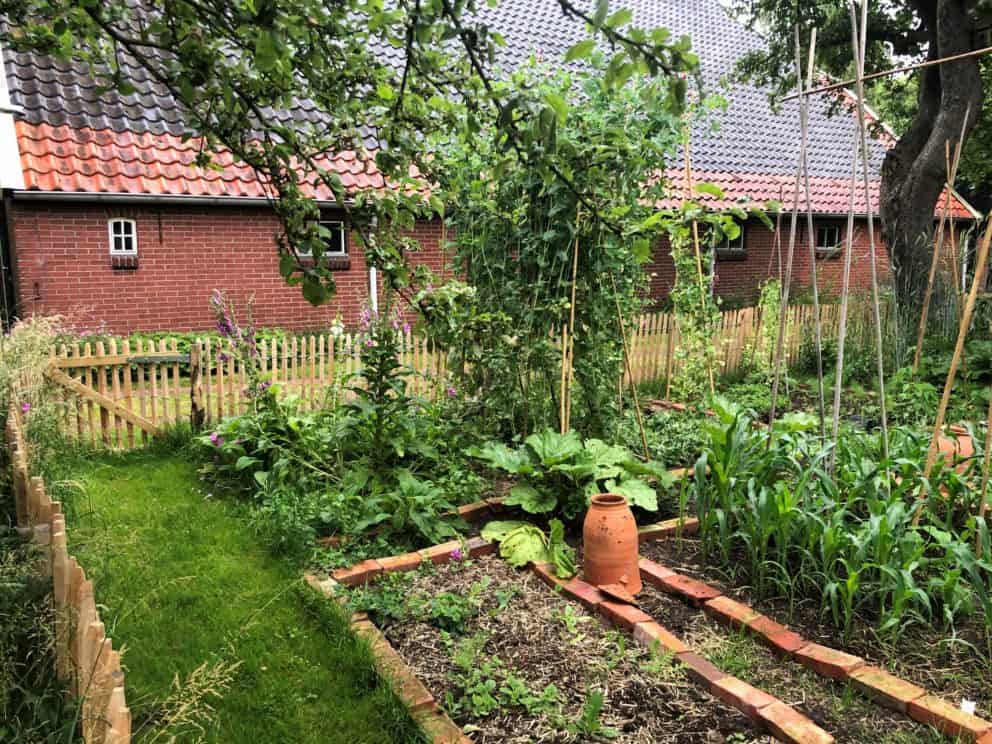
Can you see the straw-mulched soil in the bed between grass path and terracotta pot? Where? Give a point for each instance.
(546, 639)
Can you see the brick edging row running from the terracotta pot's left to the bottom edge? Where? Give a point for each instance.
(762, 709)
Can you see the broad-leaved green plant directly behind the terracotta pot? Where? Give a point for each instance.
(561, 472)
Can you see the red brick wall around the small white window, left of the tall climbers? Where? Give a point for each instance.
(184, 253)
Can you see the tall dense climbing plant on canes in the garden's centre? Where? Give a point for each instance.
(519, 234)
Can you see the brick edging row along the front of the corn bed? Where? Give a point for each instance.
(875, 683)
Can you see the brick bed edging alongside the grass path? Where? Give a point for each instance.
(426, 713)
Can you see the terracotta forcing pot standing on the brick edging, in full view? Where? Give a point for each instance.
(609, 537)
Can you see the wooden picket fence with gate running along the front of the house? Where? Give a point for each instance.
(121, 394)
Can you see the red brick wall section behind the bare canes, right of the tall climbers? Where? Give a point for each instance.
(739, 279)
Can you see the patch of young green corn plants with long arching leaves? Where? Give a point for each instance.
(768, 506)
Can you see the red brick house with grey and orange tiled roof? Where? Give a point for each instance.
(106, 219)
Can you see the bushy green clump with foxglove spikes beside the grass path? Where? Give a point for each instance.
(382, 459)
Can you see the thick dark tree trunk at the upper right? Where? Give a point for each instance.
(913, 173)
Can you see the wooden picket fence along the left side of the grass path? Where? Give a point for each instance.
(85, 659)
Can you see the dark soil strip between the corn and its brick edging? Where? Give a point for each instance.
(950, 667)
